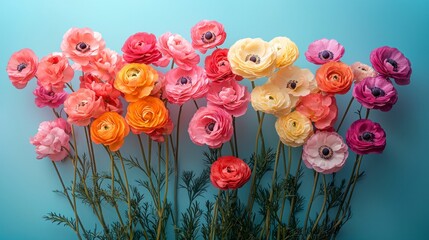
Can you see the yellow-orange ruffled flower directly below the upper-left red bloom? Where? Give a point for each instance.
(136, 80)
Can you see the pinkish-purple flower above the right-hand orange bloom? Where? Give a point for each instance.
(324, 50)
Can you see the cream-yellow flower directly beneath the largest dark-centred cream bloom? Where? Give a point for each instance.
(269, 98)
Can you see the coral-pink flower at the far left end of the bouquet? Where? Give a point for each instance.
(22, 67)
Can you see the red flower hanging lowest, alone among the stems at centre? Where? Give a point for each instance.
(229, 172)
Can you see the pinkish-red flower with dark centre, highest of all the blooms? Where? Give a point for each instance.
(207, 34)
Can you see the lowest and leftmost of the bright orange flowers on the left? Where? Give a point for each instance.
(110, 129)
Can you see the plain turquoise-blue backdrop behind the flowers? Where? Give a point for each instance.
(391, 202)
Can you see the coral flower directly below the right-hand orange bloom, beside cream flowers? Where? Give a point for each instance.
(320, 109)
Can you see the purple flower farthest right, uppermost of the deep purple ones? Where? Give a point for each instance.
(390, 62)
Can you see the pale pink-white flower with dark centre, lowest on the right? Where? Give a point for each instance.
(325, 152)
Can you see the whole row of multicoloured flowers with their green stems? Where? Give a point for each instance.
(133, 96)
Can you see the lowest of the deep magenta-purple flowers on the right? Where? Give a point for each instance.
(365, 136)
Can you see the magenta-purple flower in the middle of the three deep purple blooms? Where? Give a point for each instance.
(376, 93)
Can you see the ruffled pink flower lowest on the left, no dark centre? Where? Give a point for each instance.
(52, 139)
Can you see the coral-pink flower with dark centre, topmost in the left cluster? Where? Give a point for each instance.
(82, 44)
